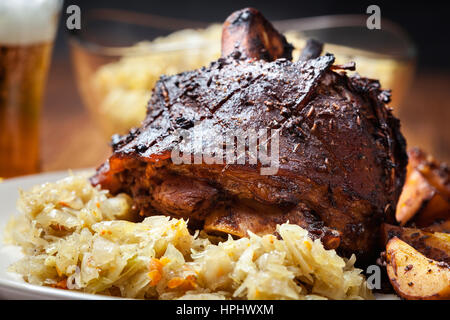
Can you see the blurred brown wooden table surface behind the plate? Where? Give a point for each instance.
(71, 139)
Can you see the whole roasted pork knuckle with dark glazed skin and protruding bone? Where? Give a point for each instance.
(342, 156)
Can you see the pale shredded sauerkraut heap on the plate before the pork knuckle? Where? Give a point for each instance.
(75, 236)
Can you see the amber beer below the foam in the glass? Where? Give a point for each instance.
(23, 71)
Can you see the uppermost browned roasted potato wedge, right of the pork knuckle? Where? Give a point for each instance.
(426, 194)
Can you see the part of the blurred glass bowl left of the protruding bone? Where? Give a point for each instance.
(116, 65)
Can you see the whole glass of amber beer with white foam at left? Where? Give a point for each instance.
(27, 31)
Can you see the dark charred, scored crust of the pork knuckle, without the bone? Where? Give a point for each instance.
(344, 155)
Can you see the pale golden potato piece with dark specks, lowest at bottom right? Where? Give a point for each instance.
(413, 275)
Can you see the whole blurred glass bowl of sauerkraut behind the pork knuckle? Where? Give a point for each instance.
(118, 56)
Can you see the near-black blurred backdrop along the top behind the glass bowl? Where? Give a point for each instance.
(427, 22)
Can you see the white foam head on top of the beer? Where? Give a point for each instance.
(28, 21)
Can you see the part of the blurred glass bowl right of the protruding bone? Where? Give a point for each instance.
(387, 54)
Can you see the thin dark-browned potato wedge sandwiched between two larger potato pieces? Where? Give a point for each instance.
(435, 245)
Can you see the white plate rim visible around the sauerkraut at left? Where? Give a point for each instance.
(12, 285)
